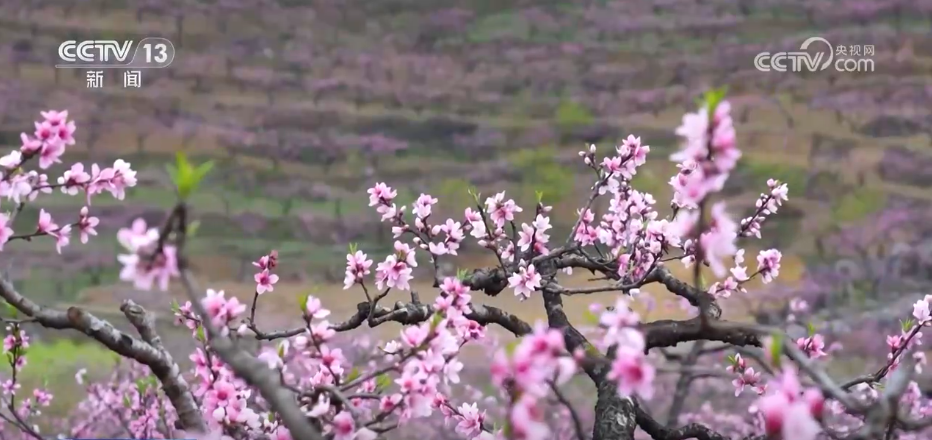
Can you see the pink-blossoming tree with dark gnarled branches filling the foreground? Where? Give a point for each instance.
(302, 386)
